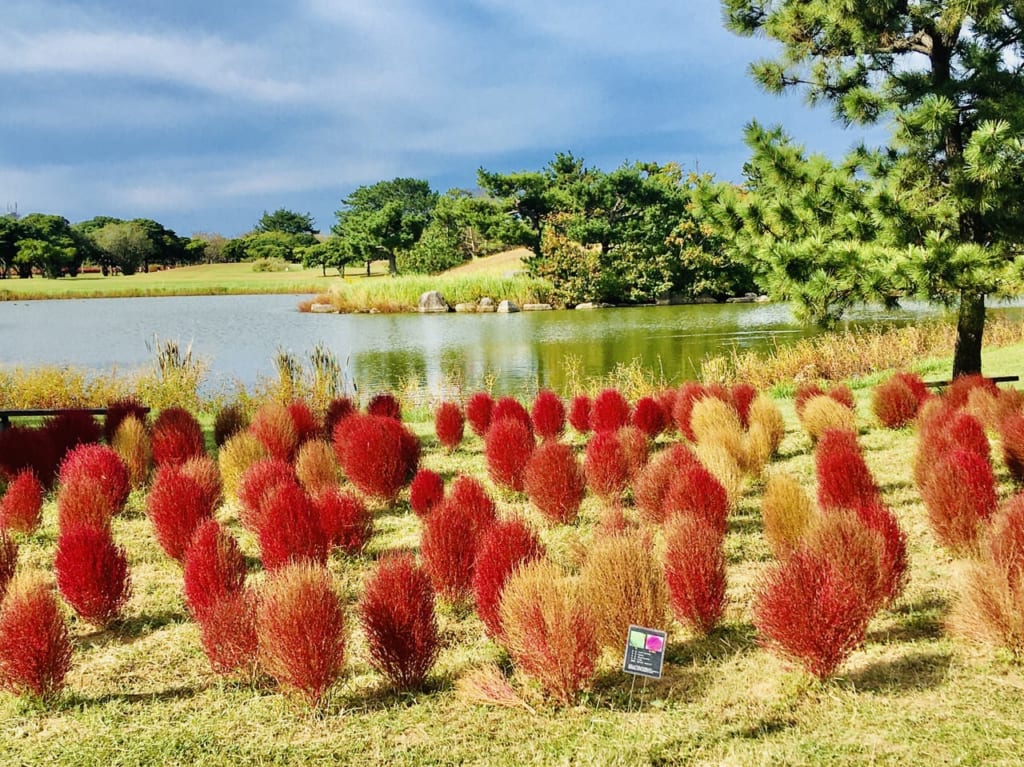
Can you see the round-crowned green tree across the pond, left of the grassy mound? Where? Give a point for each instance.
(385, 220)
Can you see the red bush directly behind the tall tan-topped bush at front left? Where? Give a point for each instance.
(289, 529)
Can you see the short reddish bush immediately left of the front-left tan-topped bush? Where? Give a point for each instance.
(228, 629)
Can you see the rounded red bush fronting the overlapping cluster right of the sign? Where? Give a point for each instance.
(806, 610)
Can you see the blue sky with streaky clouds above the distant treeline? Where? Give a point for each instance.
(203, 115)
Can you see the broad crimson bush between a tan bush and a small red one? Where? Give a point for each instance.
(378, 454)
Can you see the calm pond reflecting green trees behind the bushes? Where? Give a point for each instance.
(239, 336)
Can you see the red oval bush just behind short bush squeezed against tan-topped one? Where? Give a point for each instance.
(215, 569)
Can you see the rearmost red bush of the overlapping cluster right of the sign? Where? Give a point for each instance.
(844, 480)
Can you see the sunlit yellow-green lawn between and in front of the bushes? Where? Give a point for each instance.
(143, 694)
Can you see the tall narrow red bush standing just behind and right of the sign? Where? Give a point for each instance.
(695, 573)
